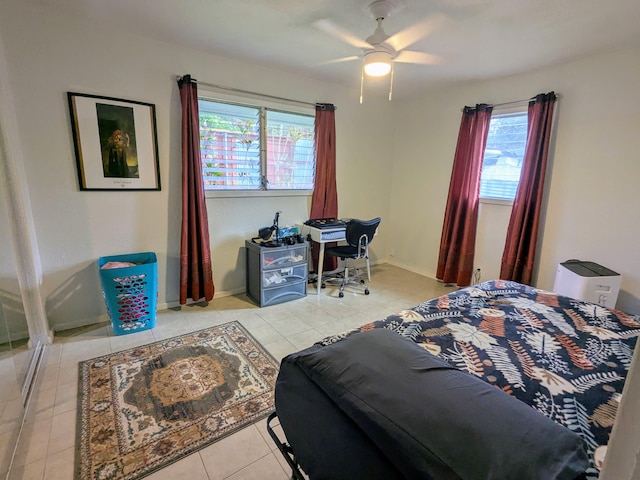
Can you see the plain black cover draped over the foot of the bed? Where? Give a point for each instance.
(388, 403)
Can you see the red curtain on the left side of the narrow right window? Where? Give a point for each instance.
(457, 243)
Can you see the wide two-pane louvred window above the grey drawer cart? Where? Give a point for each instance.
(255, 148)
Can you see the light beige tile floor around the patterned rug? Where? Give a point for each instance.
(47, 442)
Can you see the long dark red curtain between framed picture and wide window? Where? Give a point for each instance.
(196, 276)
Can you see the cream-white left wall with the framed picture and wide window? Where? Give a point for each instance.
(51, 54)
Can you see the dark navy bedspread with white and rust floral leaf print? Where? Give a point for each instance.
(566, 358)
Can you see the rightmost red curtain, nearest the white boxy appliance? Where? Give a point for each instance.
(522, 234)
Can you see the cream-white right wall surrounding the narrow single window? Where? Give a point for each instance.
(592, 207)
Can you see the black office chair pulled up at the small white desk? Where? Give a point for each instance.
(359, 234)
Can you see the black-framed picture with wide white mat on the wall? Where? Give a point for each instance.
(116, 143)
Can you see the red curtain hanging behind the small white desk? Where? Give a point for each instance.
(324, 202)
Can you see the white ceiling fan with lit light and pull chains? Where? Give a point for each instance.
(380, 50)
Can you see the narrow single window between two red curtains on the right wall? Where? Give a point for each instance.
(503, 156)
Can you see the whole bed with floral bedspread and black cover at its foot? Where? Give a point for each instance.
(564, 360)
